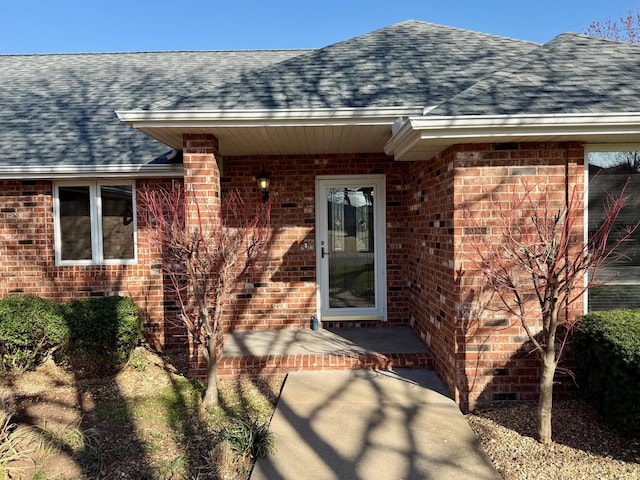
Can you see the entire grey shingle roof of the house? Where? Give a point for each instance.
(59, 109)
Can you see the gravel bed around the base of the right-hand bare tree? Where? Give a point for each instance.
(584, 446)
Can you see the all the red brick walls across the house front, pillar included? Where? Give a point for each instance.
(430, 276)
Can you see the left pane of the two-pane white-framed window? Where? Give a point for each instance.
(75, 223)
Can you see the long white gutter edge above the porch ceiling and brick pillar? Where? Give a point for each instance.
(316, 117)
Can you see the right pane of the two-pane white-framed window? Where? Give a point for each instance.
(117, 222)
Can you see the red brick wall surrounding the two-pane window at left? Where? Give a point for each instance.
(27, 263)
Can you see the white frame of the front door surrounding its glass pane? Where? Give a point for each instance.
(380, 249)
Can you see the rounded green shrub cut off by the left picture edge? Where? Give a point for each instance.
(30, 327)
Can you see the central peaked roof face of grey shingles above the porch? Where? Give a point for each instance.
(408, 64)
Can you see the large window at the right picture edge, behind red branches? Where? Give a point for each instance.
(608, 171)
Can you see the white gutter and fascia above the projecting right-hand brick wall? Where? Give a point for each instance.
(448, 131)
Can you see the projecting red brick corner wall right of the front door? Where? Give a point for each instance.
(481, 356)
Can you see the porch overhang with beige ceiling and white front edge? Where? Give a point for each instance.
(279, 132)
